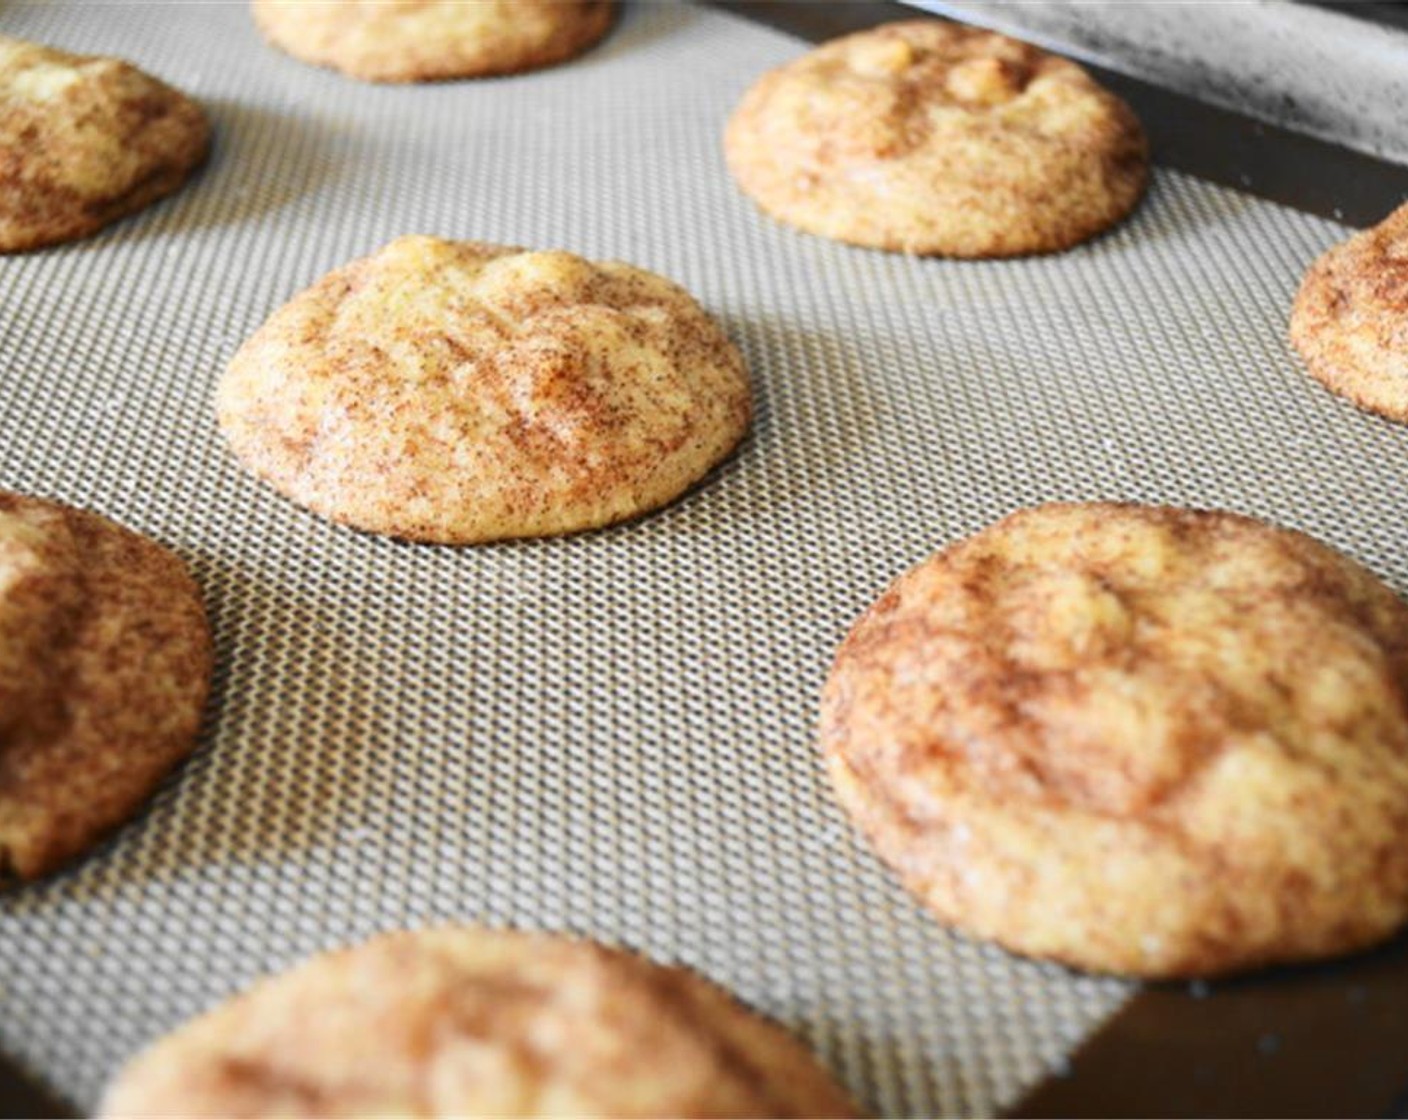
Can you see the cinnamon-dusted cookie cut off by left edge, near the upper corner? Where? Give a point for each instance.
(85, 142)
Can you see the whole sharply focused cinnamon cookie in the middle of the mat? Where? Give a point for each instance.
(457, 392)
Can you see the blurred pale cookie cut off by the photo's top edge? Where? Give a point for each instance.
(433, 40)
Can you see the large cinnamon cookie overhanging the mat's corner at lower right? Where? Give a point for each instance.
(1137, 740)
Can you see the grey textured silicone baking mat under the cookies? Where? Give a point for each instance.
(609, 733)
